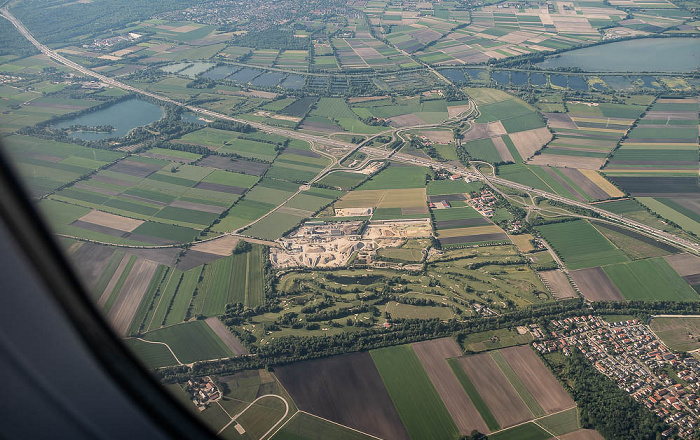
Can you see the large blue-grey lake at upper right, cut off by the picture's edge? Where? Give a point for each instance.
(642, 55)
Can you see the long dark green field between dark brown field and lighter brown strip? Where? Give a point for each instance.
(416, 400)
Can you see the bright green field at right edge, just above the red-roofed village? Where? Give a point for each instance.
(650, 280)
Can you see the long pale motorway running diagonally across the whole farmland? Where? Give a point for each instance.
(377, 152)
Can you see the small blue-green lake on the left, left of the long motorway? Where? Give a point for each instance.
(124, 116)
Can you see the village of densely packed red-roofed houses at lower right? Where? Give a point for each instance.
(630, 354)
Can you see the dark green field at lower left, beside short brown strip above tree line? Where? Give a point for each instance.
(191, 341)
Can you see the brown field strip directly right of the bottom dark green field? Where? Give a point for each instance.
(433, 355)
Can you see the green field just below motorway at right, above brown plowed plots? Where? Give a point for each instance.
(580, 245)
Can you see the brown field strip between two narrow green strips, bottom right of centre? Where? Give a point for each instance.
(493, 386)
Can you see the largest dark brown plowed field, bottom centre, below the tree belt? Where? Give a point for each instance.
(346, 389)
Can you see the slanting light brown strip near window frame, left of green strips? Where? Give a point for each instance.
(124, 308)
